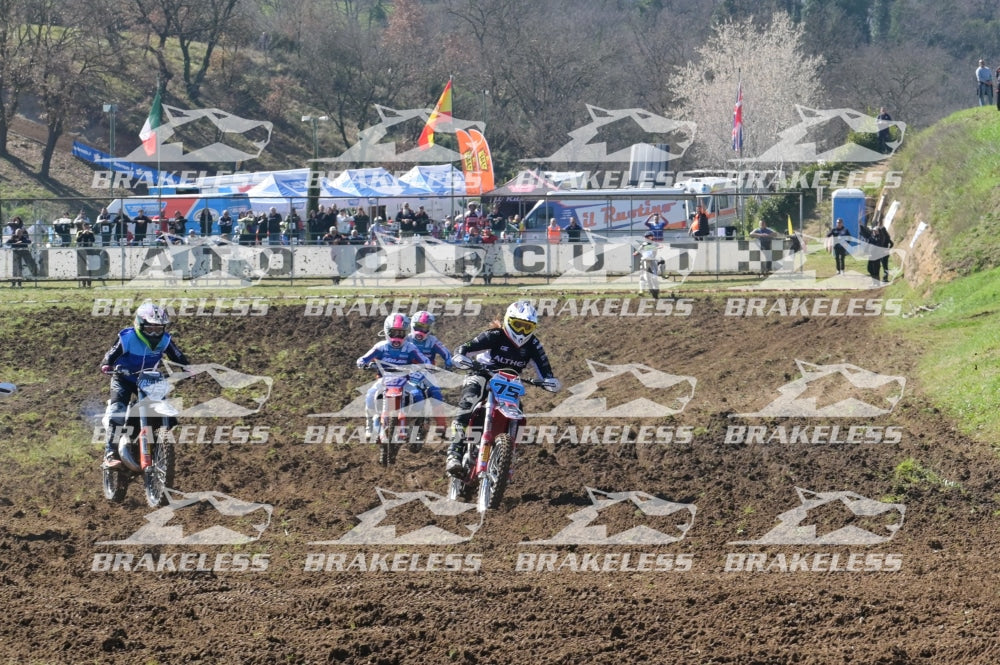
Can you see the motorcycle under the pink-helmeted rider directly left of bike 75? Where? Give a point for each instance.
(402, 389)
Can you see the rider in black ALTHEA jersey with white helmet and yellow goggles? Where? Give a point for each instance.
(510, 344)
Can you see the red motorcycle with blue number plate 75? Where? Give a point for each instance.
(489, 460)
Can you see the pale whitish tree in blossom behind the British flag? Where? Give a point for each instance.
(775, 73)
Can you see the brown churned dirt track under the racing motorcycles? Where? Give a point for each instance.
(708, 552)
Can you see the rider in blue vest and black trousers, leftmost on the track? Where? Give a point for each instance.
(137, 348)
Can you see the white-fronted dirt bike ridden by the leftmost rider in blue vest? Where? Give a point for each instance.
(143, 445)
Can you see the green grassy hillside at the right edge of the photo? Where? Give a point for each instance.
(950, 178)
